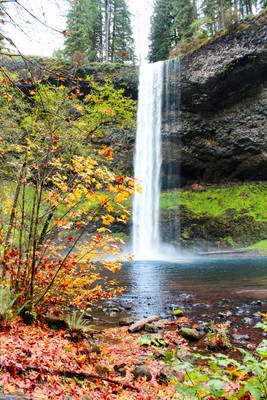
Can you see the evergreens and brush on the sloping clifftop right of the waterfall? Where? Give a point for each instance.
(183, 25)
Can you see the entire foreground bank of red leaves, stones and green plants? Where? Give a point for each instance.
(116, 364)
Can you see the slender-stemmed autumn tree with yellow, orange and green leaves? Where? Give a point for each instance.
(63, 190)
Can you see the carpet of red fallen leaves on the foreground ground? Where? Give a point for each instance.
(24, 346)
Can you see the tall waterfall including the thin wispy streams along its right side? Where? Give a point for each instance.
(156, 89)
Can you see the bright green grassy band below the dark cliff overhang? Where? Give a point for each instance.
(249, 199)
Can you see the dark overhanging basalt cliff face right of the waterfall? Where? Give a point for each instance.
(221, 131)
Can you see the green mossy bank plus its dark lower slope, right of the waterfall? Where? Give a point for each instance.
(233, 215)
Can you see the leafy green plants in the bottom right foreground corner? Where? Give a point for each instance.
(221, 376)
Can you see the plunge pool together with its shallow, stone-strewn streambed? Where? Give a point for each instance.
(232, 291)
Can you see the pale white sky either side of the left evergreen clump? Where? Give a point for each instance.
(34, 38)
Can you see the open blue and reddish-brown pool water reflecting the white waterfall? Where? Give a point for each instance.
(202, 286)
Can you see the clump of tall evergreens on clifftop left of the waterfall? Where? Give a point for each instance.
(100, 30)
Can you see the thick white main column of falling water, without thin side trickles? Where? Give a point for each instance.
(146, 232)
